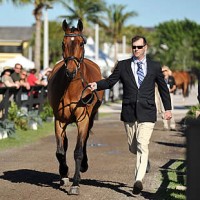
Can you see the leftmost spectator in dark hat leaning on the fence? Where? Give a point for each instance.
(7, 79)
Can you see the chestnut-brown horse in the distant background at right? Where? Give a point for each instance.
(183, 80)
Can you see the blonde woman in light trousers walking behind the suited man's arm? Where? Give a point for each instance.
(171, 84)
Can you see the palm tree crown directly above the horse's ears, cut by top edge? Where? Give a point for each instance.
(87, 10)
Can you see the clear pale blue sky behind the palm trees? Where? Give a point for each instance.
(150, 12)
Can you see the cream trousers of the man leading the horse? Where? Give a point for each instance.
(139, 135)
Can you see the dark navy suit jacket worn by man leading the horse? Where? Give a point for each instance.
(138, 104)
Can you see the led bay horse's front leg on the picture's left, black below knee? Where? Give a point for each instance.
(62, 145)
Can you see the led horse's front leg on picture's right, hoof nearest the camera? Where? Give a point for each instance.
(78, 153)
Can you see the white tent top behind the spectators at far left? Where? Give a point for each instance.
(25, 62)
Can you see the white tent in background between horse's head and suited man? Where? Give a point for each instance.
(105, 62)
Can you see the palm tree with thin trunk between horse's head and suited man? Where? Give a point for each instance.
(115, 23)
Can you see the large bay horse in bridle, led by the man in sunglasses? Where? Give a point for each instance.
(73, 102)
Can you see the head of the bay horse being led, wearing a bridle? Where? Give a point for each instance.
(73, 48)
